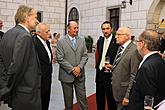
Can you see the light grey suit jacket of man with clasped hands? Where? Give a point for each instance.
(69, 57)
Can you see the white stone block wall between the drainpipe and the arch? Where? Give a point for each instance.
(94, 12)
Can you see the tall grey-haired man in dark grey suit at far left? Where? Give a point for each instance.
(21, 75)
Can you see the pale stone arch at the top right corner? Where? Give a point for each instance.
(154, 14)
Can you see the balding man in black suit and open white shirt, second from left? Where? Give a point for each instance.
(45, 56)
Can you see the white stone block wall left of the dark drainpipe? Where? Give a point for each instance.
(53, 12)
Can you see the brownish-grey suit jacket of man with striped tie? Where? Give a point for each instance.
(124, 72)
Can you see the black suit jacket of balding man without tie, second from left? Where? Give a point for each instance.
(46, 64)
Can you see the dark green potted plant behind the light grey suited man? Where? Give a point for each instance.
(89, 43)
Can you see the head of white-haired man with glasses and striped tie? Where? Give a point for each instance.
(123, 35)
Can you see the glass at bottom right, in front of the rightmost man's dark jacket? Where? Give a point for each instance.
(148, 102)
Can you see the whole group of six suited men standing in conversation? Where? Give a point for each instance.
(134, 71)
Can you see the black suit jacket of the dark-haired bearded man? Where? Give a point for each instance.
(111, 53)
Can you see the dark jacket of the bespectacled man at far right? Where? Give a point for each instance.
(150, 80)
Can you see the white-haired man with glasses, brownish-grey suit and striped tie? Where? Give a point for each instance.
(124, 67)
